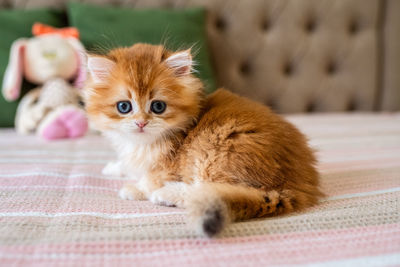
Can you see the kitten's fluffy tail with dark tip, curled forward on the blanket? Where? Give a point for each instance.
(212, 206)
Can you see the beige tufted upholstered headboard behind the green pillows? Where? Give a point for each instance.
(297, 55)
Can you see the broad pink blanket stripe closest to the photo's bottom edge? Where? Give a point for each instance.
(293, 248)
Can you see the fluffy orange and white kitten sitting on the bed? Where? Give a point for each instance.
(223, 157)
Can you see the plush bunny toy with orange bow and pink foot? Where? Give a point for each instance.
(51, 59)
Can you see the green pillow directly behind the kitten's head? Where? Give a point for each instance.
(109, 27)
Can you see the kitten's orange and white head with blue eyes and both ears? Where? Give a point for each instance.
(143, 91)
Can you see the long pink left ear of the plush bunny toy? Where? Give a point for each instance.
(13, 75)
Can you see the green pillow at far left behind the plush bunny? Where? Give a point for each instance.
(15, 24)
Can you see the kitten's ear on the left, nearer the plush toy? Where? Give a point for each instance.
(100, 68)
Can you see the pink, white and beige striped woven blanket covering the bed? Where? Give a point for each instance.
(56, 208)
